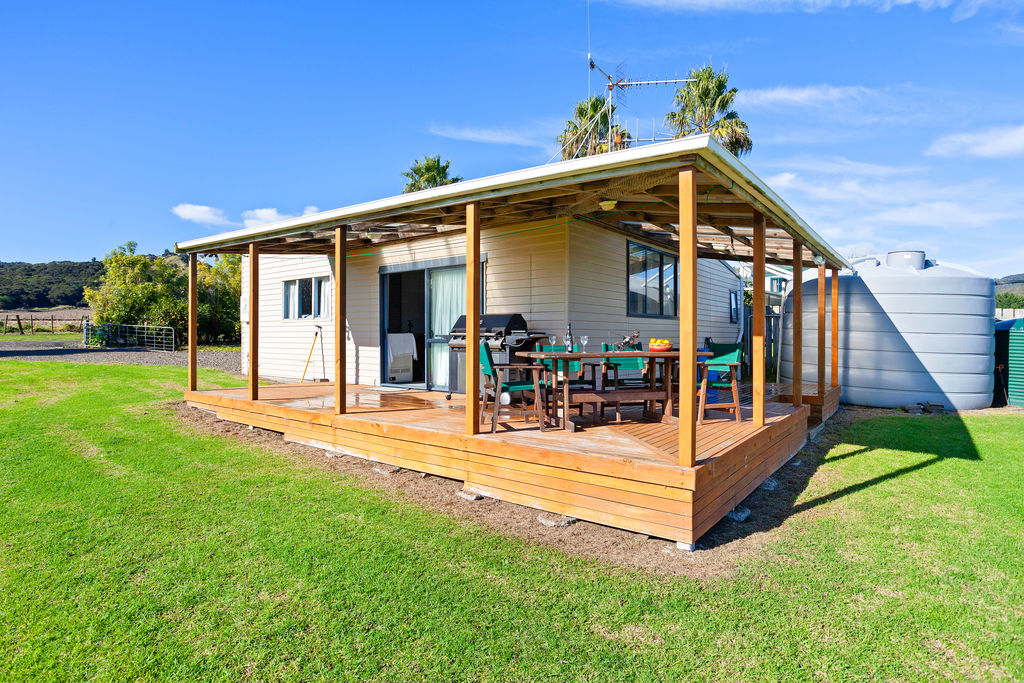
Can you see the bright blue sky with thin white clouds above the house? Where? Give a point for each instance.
(884, 123)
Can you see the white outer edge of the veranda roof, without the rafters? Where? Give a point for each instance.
(662, 155)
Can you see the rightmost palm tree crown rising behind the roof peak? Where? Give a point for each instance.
(705, 106)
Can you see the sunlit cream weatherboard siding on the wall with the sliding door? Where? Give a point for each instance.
(525, 273)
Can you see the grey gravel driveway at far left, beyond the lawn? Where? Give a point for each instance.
(72, 352)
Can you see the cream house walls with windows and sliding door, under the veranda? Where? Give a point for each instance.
(401, 287)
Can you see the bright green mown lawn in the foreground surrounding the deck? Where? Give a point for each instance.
(136, 548)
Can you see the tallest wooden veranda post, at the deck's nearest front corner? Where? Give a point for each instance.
(688, 317)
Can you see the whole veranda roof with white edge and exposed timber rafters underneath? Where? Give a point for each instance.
(643, 182)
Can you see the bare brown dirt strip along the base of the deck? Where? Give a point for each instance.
(719, 552)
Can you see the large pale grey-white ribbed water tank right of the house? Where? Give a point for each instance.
(912, 331)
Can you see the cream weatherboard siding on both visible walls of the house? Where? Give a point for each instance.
(549, 272)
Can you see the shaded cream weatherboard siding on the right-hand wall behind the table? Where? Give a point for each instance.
(599, 289)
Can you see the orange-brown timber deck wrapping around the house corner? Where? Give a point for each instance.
(621, 475)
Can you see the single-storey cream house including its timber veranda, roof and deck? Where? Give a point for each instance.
(576, 241)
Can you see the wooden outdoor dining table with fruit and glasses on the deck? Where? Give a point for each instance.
(651, 396)
